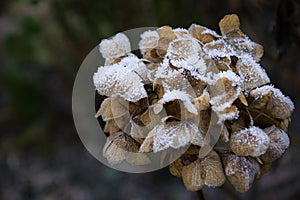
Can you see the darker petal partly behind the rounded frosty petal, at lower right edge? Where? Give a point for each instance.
(279, 143)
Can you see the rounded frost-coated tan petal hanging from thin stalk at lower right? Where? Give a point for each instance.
(252, 141)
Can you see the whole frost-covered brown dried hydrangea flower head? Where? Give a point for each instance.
(166, 100)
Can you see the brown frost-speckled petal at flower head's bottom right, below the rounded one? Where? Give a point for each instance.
(240, 171)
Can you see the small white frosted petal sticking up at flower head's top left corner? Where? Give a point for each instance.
(115, 47)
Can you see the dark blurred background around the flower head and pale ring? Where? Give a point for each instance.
(42, 44)
